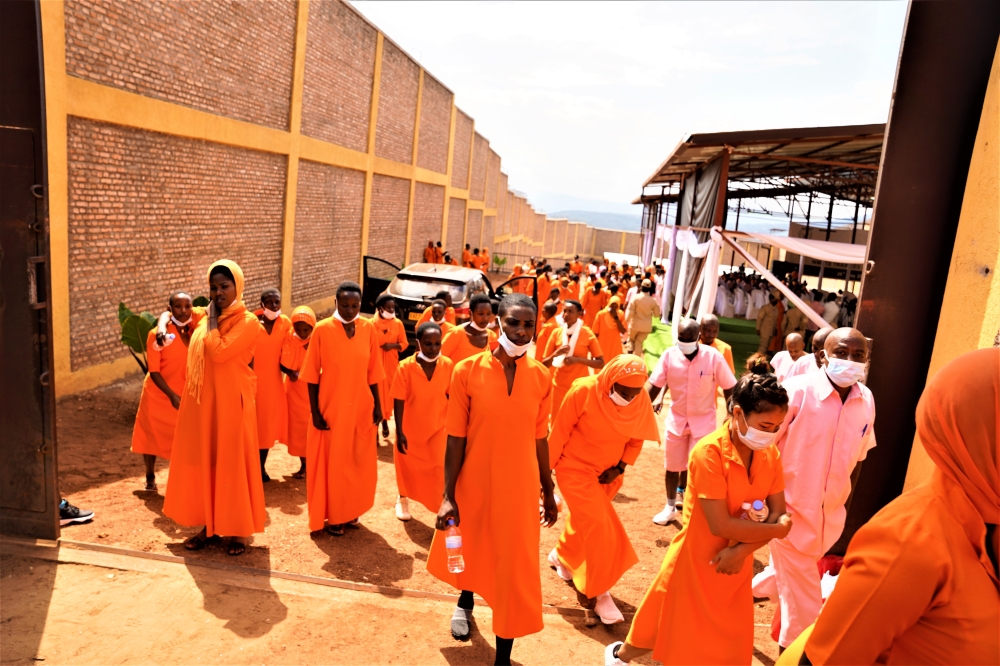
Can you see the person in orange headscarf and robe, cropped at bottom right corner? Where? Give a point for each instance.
(919, 583)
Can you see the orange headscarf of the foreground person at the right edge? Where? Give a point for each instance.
(958, 420)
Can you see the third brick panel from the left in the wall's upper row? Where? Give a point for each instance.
(397, 105)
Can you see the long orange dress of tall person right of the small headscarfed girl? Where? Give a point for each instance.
(342, 472)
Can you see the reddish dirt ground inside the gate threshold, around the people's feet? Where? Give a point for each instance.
(97, 471)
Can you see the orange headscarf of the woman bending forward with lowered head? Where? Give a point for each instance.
(635, 420)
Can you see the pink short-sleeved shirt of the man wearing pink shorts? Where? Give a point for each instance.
(692, 387)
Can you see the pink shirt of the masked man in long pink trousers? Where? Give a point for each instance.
(821, 441)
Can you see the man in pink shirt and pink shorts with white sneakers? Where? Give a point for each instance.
(692, 372)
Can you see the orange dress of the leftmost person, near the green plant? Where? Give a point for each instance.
(156, 419)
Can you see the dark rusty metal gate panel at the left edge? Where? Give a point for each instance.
(29, 495)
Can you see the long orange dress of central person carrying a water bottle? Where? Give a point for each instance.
(497, 490)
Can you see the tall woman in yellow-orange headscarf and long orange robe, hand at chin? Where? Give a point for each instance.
(214, 466)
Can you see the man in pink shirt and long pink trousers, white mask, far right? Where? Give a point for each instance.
(827, 432)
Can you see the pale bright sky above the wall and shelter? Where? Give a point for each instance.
(583, 100)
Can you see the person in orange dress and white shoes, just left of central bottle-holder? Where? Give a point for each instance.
(420, 401)
